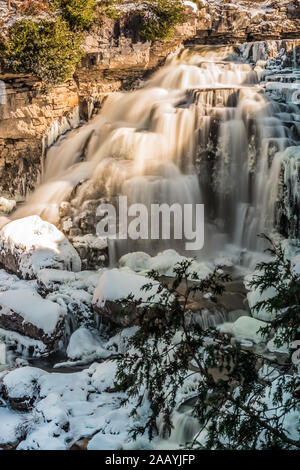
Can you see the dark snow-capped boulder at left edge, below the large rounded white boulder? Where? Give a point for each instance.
(24, 311)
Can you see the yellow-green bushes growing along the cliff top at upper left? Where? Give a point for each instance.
(47, 41)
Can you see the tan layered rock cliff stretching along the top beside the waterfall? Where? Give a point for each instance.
(31, 119)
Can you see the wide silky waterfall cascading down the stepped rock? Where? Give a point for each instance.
(202, 130)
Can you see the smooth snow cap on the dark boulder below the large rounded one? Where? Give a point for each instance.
(32, 307)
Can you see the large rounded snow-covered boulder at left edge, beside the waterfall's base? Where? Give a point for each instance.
(30, 244)
